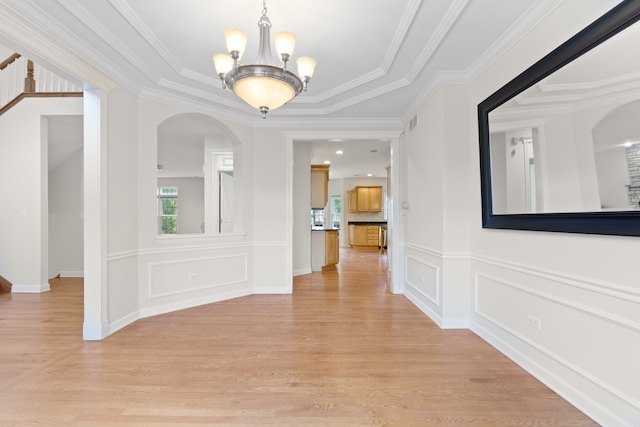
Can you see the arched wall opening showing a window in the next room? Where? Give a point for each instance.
(195, 176)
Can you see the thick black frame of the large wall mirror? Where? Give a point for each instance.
(619, 223)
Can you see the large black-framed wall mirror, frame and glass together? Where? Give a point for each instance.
(560, 143)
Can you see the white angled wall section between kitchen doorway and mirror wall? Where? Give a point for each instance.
(436, 222)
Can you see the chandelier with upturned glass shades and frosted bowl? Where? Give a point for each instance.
(263, 85)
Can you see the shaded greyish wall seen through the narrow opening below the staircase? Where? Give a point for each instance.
(66, 227)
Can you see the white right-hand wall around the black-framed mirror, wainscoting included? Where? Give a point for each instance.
(584, 289)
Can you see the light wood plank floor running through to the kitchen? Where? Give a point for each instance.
(340, 351)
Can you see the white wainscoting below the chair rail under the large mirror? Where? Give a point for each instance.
(579, 337)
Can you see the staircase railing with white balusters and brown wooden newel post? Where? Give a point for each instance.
(21, 78)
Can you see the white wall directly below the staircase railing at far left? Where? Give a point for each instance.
(23, 169)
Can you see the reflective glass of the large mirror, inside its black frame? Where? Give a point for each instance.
(571, 142)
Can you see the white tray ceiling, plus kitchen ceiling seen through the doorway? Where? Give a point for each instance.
(378, 60)
